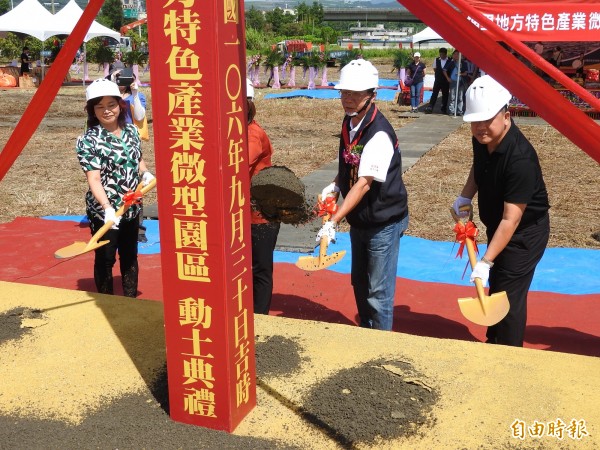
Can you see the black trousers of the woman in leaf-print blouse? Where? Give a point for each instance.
(123, 240)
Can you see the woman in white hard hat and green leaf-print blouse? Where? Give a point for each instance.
(110, 155)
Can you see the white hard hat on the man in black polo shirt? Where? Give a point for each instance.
(485, 97)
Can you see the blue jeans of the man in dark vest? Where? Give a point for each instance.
(374, 262)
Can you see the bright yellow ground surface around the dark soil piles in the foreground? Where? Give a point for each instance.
(89, 349)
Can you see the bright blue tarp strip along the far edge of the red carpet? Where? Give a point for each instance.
(562, 270)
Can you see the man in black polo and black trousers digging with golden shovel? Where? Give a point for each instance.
(513, 204)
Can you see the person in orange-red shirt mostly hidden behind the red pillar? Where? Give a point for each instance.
(264, 233)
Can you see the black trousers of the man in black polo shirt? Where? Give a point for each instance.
(513, 272)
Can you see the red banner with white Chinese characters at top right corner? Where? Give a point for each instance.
(564, 20)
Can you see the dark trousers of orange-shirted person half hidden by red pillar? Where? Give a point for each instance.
(264, 239)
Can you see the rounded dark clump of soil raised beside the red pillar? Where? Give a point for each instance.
(280, 196)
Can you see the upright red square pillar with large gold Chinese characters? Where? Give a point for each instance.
(200, 110)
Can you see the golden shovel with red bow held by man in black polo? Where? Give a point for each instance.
(484, 309)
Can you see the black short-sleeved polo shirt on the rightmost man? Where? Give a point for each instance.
(511, 174)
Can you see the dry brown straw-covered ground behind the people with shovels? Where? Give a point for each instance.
(46, 178)
